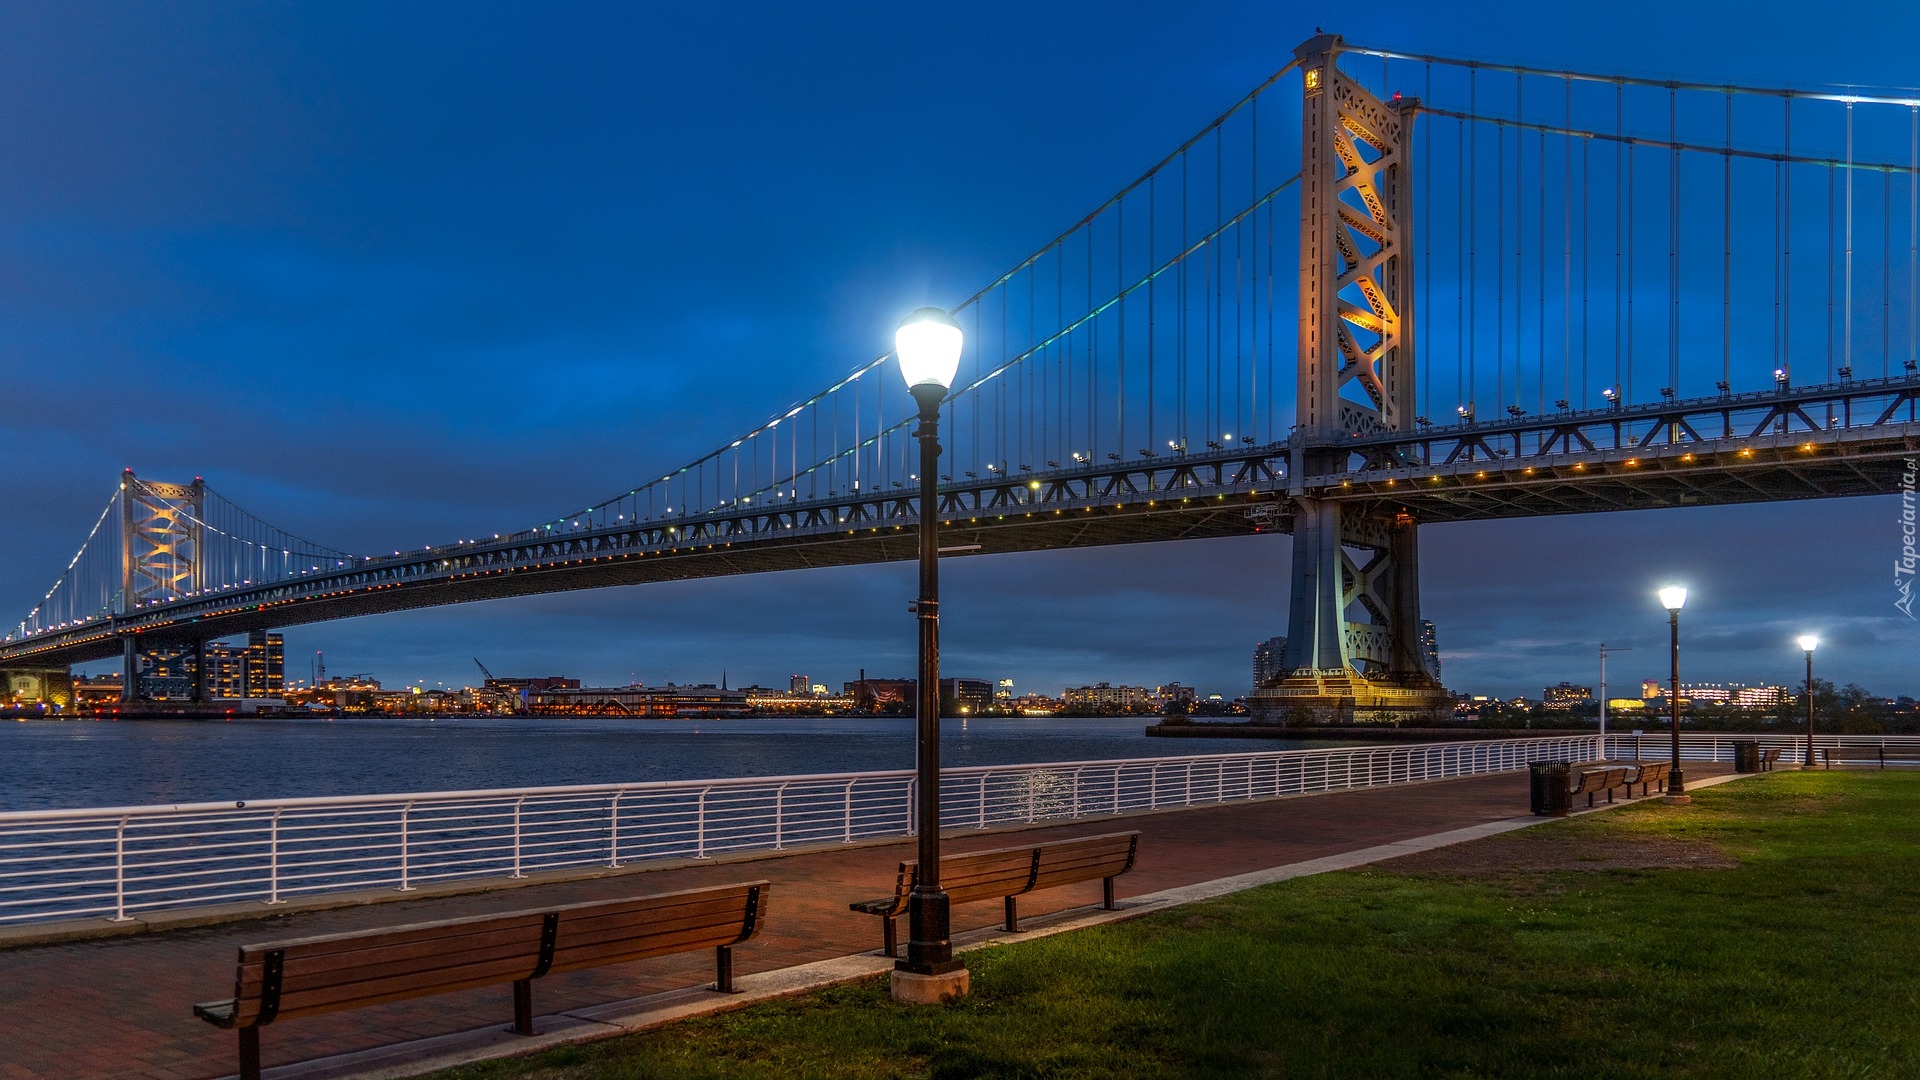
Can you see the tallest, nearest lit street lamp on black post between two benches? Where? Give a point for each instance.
(928, 345)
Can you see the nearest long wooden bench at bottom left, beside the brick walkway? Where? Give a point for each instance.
(304, 977)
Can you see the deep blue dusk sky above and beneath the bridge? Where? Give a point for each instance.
(402, 274)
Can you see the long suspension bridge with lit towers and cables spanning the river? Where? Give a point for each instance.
(1380, 291)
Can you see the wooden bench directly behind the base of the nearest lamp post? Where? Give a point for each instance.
(1011, 873)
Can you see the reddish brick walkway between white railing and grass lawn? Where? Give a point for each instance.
(124, 1006)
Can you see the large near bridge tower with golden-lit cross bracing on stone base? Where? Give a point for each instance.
(1355, 624)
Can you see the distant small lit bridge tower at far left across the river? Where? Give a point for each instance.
(162, 551)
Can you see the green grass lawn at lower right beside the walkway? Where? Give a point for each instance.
(1802, 962)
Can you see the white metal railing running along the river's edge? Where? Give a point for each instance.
(128, 860)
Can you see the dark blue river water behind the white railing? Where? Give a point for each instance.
(101, 764)
